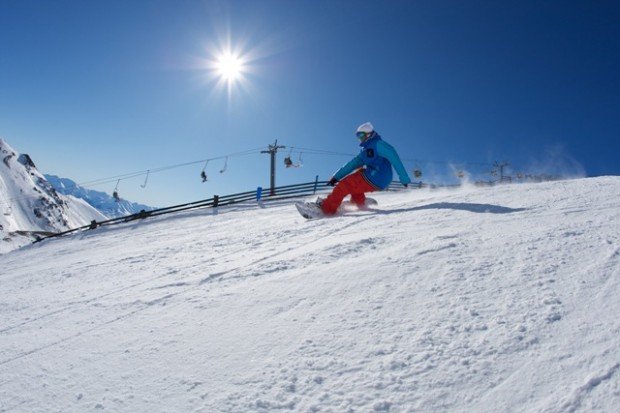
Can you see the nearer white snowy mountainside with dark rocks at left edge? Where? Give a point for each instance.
(29, 204)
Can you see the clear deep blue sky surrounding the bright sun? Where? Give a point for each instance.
(95, 89)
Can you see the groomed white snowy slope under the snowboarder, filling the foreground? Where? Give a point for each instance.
(479, 300)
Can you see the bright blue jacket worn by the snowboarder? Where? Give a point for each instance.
(377, 157)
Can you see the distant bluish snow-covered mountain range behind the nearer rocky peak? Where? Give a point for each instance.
(101, 201)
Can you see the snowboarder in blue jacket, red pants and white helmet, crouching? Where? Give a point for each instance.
(369, 171)
